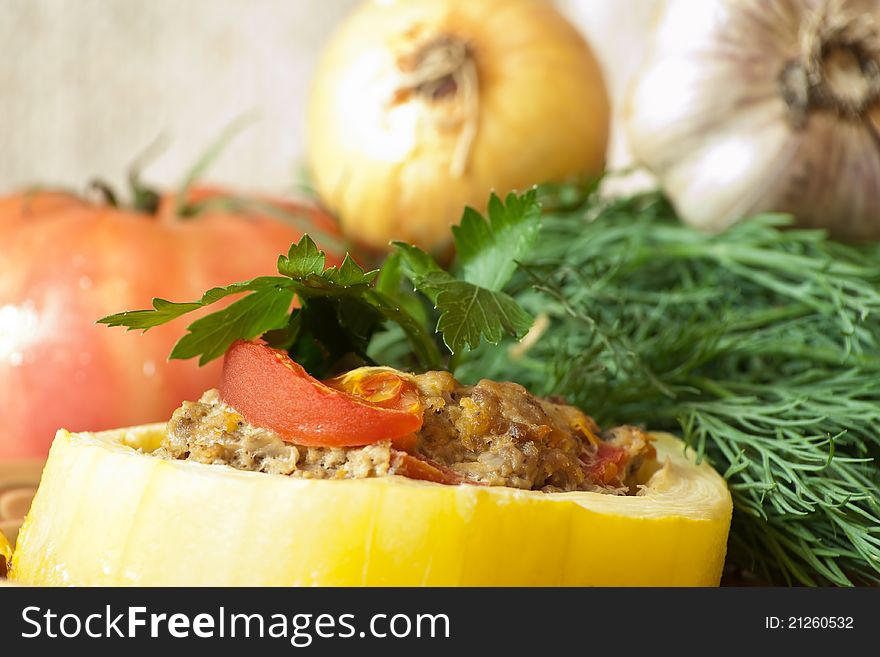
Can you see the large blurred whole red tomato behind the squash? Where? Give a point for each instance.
(65, 262)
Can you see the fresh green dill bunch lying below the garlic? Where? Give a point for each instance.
(760, 346)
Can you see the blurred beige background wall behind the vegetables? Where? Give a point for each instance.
(86, 84)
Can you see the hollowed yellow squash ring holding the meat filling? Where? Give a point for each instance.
(109, 514)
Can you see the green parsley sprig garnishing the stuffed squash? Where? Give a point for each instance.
(339, 309)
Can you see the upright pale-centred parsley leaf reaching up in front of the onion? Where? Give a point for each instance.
(488, 249)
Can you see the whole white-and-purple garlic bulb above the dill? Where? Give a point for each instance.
(750, 106)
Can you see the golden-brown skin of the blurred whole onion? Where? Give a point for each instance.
(384, 161)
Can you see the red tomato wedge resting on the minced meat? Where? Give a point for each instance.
(272, 391)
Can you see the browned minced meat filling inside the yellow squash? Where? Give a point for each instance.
(492, 433)
